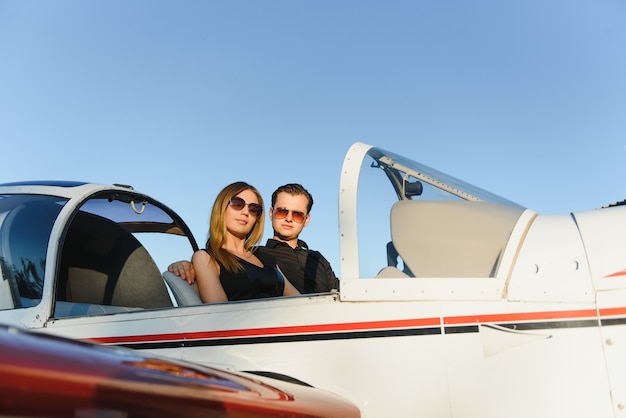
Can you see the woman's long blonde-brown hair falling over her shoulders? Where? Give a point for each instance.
(217, 227)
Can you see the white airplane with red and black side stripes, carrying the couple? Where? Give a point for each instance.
(453, 301)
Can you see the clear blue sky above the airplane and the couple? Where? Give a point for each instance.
(526, 99)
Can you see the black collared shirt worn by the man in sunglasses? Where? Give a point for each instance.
(306, 269)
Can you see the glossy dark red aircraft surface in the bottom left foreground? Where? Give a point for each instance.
(43, 375)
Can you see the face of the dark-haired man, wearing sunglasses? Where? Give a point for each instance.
(287, 228)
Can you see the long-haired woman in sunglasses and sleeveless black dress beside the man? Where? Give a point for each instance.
(229, 268)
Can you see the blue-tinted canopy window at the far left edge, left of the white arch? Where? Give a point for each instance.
(25, 225)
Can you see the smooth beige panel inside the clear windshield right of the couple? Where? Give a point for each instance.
(452, 238)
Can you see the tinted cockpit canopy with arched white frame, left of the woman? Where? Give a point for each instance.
(112, 246)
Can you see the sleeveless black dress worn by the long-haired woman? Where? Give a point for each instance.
(253, 282)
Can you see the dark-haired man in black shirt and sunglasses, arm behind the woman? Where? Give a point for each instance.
(306, 269)
